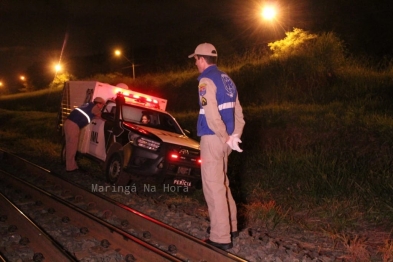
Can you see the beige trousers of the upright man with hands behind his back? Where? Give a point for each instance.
(218, 196)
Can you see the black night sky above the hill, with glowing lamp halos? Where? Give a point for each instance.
(34, 34)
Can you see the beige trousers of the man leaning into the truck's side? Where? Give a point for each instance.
(71, 131)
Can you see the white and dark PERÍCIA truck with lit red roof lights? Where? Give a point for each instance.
(127, 148)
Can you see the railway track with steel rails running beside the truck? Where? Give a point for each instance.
(77, 224)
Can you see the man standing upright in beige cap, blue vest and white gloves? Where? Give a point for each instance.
(220, 126)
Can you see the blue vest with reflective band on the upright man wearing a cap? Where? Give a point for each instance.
(226, 95)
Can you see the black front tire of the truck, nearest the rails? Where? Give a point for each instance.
(114, 172)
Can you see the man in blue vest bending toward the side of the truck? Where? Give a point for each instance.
(78, 119)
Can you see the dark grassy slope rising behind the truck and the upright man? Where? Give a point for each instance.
(316, 145)
